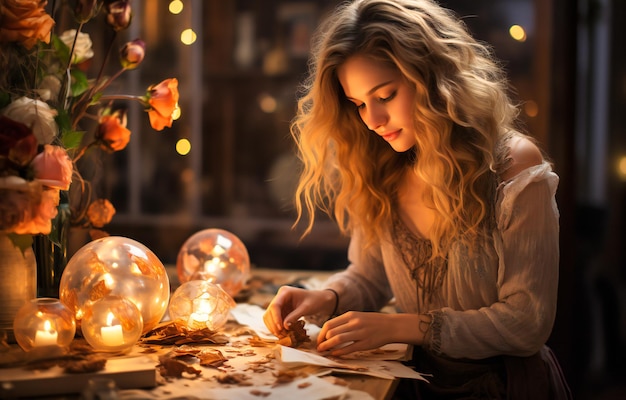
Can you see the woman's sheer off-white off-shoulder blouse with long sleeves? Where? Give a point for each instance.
(499, 299)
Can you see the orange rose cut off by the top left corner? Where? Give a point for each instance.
(25, 21)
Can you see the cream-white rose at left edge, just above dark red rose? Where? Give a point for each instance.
(35, 114)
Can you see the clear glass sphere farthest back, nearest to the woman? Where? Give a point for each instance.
(217, 256)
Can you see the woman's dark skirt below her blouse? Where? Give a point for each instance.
(536, 377)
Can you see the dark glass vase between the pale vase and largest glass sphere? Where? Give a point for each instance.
(51, 251)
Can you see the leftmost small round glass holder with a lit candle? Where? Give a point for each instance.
(44, 324)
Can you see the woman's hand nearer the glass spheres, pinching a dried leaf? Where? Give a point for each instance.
(290, 304)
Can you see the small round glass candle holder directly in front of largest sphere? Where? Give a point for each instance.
(112, 323)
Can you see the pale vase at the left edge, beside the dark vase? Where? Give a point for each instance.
(18, 284)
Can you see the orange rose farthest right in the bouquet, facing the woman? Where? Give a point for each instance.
(163, 101)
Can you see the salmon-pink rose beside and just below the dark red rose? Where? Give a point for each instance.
(53, 167)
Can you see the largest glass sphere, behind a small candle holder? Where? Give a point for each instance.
(116, 266)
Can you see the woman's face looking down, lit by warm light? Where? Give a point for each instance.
(384, 99)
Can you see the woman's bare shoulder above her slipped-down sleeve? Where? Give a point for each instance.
(520, 153)
